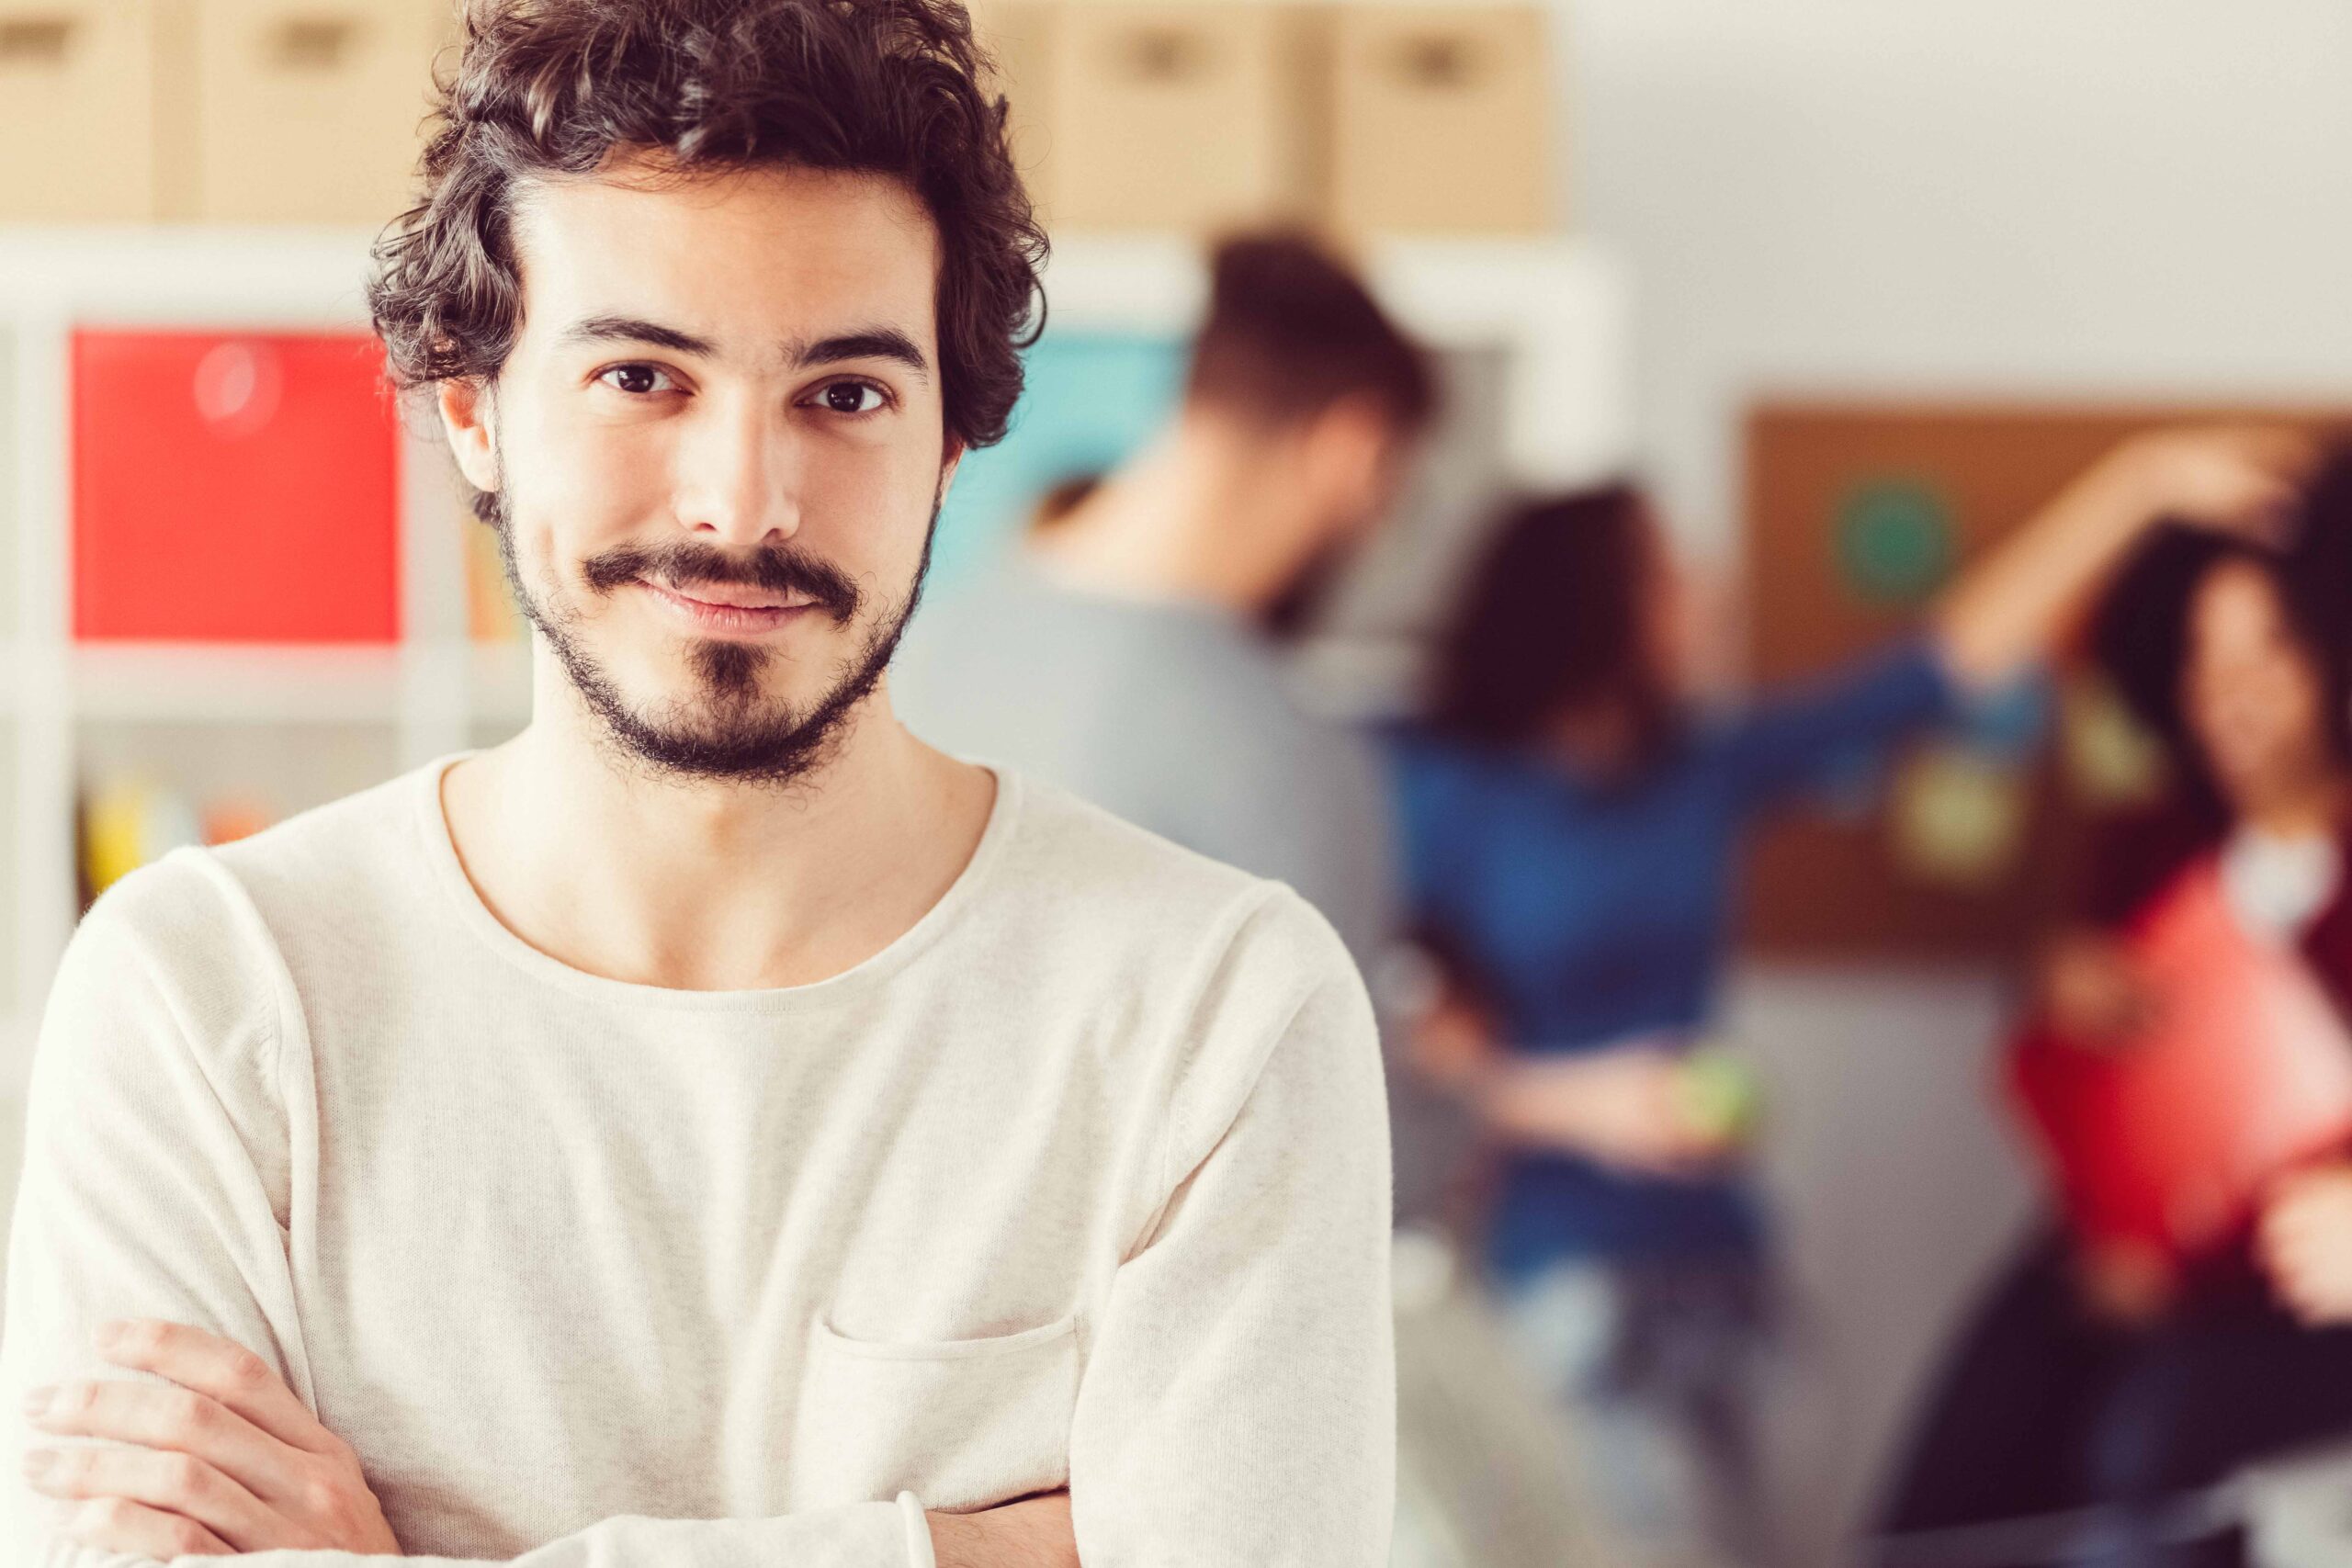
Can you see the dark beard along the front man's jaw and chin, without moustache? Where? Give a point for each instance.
(726, 728)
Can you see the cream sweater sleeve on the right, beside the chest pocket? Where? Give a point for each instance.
(1238, 1402)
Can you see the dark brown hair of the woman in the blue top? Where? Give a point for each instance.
(1556, 624)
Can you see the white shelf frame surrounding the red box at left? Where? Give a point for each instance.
(413, 699)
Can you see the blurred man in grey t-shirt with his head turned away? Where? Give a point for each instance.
(1132, 652)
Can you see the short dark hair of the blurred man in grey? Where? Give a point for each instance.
(1292, 333)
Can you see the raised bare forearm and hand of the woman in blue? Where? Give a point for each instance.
(2010, 610)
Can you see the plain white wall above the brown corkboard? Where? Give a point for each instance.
(2109, 196)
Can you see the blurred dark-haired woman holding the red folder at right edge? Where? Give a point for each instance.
(2094, 1374)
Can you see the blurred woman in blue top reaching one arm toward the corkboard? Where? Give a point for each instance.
(1572, 836)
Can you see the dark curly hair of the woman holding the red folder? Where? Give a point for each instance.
(2141, 629)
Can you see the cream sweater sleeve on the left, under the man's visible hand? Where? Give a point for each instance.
(156, 1184)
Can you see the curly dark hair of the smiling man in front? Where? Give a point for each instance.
(554, 88)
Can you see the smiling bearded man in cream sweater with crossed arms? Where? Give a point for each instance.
(714, 1127)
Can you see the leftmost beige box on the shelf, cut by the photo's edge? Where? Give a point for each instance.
(79, 109)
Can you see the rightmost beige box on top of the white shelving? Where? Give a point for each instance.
(1441, 121)
